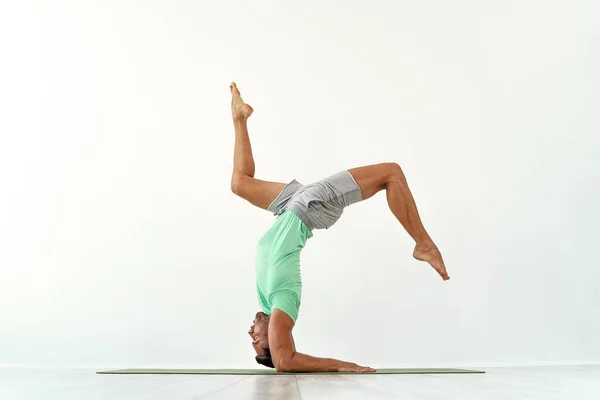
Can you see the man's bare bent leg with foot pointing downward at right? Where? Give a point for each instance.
(389, 176)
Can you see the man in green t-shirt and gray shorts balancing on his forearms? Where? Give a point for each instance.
(300, 209)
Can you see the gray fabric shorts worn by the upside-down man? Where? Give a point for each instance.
(319, 205)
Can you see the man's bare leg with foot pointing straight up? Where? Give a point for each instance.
(259, 193)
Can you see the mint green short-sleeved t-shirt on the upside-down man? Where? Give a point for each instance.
(278, 280)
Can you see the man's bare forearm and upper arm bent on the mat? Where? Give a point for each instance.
(287, 359)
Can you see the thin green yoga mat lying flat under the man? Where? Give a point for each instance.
(273, 372)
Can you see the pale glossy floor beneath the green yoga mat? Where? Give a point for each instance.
(571, 383)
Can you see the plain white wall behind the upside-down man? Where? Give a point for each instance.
(121, 244)
